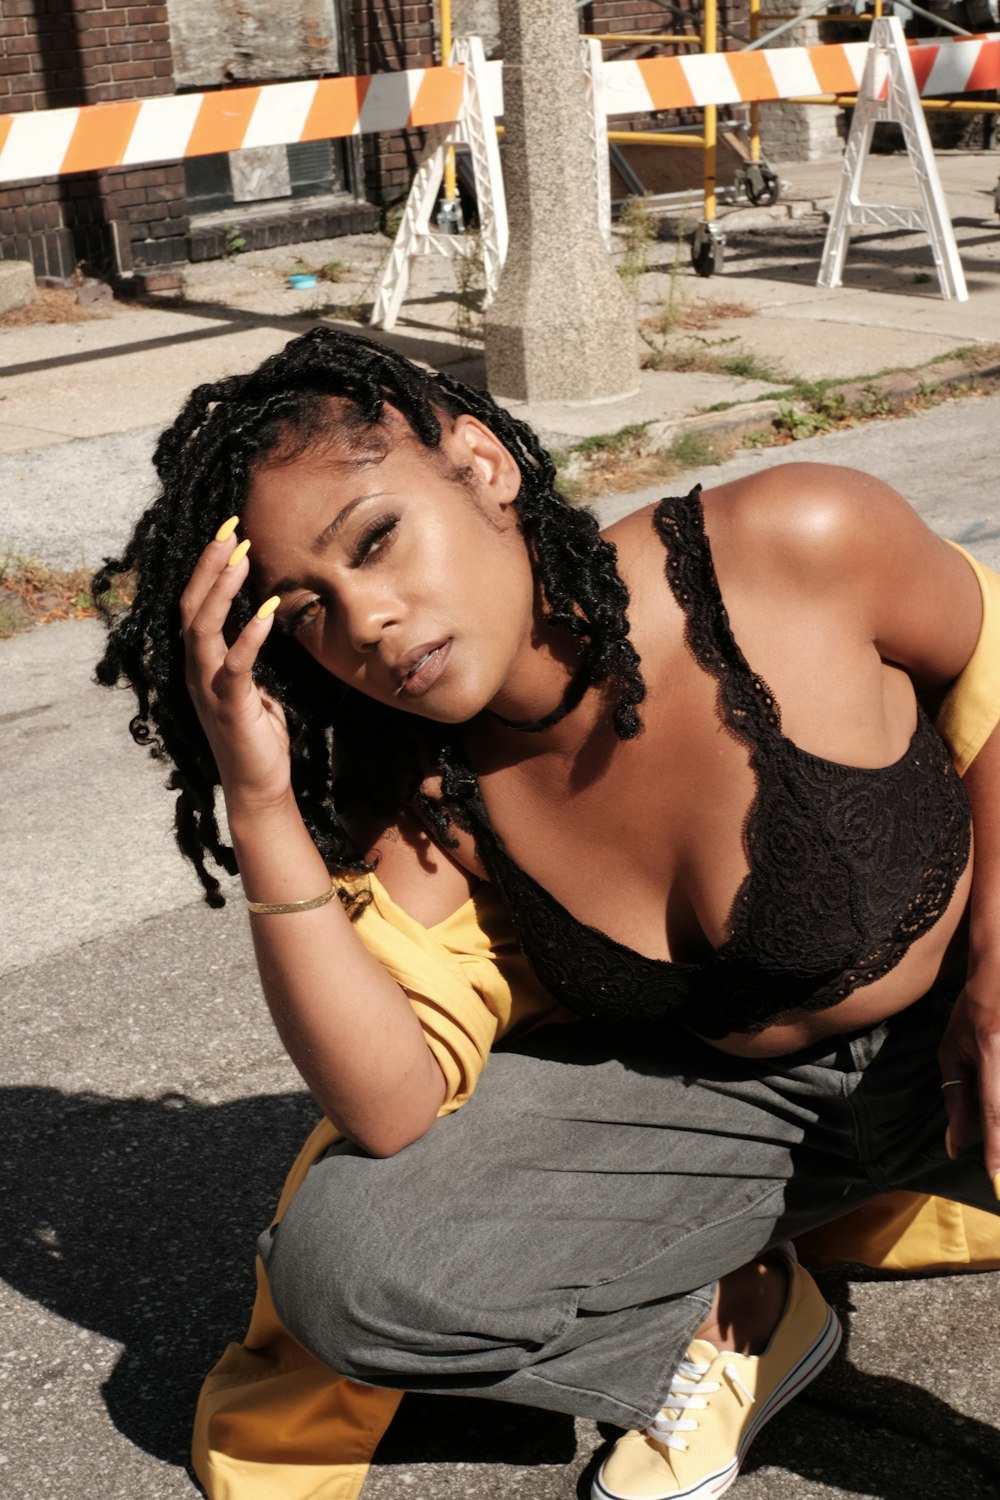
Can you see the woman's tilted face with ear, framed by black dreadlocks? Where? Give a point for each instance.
(407, 583)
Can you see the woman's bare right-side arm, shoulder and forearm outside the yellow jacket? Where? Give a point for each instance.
(848, 533)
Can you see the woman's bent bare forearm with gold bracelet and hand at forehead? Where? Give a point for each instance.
(347, 1025)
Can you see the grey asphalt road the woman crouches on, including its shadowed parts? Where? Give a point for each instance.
(149, 1112)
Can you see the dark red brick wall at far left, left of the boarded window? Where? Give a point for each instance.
(64, 53)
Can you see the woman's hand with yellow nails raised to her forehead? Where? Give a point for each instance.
(245, 728)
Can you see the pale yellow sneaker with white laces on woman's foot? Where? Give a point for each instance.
(719, 1403)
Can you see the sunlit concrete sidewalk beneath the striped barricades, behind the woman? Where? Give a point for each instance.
(131, 368)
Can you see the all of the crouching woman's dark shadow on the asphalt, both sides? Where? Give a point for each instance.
(137, 1220)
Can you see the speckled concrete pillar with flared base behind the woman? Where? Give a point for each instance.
(561, 326)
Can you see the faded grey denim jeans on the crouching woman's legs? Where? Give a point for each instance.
(557, 1241)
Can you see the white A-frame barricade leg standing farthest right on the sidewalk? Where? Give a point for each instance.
(888, 92)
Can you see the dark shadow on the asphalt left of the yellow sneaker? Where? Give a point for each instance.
(137, 1219)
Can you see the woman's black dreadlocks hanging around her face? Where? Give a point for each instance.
(206, 463)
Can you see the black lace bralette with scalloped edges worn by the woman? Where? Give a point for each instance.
(846, 866)
